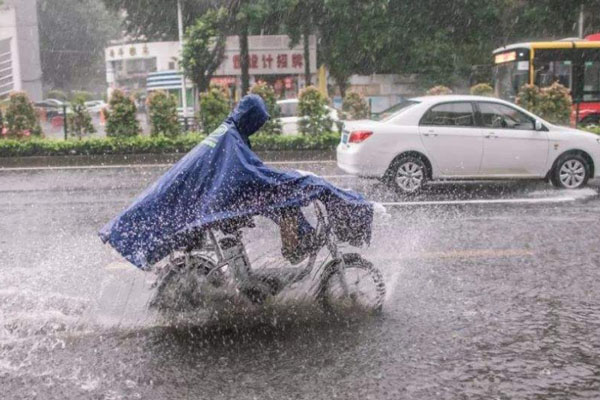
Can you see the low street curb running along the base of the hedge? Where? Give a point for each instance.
(125, 159)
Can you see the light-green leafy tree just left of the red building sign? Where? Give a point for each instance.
(204, 48)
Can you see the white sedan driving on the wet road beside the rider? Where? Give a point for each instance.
(466, 137)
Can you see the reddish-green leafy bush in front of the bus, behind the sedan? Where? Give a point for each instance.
(552, 103)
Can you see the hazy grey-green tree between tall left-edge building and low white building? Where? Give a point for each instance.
(73, 35)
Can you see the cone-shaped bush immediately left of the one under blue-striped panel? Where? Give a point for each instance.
(121, 116)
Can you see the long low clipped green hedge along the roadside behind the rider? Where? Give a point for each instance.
(154, 145)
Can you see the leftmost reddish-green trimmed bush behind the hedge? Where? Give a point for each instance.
(21, 116)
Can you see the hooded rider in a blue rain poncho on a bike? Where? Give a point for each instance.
(222, 183)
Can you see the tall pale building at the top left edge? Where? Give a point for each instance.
(20, 66)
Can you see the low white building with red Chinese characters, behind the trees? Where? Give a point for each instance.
(152, 66)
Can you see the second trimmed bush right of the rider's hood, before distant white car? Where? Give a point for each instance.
(312, 107)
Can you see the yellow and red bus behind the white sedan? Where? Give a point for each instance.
(574, 63)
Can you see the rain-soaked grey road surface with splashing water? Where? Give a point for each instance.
(493, 293)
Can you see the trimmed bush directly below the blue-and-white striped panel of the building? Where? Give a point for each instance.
(162, 109)
